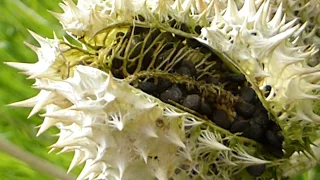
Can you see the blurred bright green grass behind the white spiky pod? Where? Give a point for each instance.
(16, 16)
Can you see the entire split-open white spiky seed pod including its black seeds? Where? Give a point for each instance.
(185, 89)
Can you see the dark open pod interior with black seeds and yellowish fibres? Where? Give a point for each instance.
(175, 70)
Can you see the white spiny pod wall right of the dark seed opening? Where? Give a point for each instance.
(268, 57)
